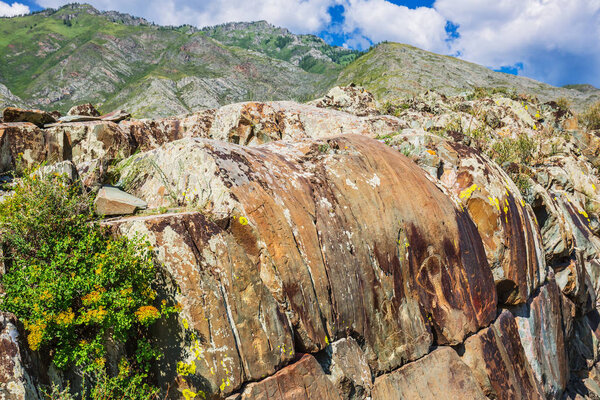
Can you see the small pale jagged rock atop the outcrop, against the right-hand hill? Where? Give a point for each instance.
(351, 99)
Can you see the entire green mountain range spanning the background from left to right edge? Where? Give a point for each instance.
(55, 59)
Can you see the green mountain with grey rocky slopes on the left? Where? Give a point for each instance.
(57, 58)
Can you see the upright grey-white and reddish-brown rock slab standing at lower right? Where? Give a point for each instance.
(541, 331)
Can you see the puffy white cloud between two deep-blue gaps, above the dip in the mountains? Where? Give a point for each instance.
(380, 20)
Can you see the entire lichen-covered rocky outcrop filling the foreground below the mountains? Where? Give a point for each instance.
(449, 250)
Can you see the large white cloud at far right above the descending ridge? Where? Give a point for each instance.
(554, 40)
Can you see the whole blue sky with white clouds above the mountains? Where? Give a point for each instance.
(554, 41)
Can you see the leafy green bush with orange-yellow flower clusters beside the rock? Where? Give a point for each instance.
(74, 287)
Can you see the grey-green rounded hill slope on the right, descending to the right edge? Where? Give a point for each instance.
(392, 70)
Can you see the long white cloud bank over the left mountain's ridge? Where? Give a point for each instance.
(301, 16)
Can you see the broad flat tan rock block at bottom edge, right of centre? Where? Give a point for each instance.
(439, 375)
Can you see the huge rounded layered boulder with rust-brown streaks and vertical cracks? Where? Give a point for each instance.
(299, 218)
